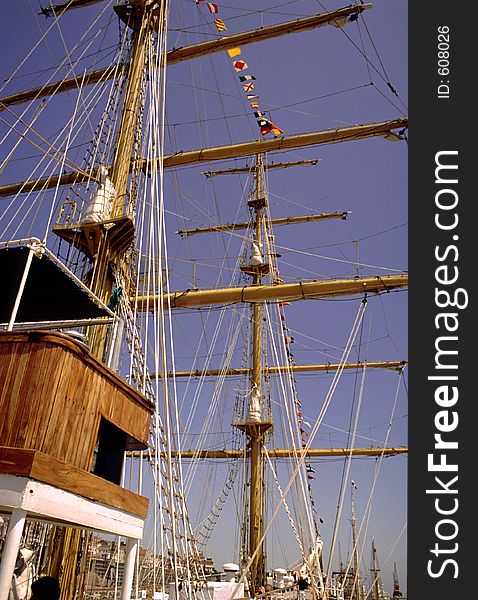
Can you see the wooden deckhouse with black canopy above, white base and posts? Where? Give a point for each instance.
(67, 418)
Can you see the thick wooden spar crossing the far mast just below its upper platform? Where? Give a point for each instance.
(280, 292)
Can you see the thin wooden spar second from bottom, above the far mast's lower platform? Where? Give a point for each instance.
(392, 365)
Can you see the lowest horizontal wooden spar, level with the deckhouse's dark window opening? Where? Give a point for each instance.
(283, 453)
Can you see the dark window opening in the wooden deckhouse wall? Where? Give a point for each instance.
(109, 452)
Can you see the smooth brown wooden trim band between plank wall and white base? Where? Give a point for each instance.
(41, 467)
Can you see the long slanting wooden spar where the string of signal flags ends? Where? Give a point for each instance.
(330, 136)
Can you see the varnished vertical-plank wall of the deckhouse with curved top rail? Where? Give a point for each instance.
(53, 394)
